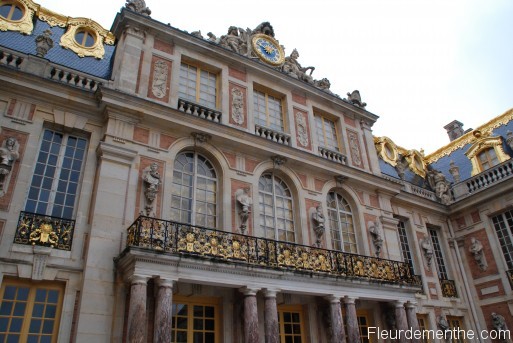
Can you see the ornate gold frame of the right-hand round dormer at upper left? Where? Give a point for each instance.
(102, 36)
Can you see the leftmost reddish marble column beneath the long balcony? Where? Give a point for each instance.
(137, 310)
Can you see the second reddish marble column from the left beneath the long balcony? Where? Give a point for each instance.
(163, 311)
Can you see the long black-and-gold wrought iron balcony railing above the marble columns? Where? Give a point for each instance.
(183, 239)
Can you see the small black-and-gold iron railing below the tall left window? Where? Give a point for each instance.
(42, 230)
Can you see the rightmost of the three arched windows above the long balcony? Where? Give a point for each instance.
(341, 223)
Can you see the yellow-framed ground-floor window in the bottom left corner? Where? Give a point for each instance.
(29, 313)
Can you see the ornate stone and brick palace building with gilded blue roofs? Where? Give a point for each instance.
(161, 186)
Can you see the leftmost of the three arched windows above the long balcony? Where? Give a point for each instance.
(194, 193)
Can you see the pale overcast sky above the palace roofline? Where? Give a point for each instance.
(418, 64)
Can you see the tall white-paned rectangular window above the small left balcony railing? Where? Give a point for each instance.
(55, 183)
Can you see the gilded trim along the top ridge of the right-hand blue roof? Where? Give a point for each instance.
(467, 138)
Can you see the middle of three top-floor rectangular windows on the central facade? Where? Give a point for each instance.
(268, 111)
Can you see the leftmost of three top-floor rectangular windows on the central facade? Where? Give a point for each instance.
(198, 85)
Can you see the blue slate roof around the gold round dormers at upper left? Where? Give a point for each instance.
(17, 41)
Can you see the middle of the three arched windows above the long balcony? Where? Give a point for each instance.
(276, 215)
